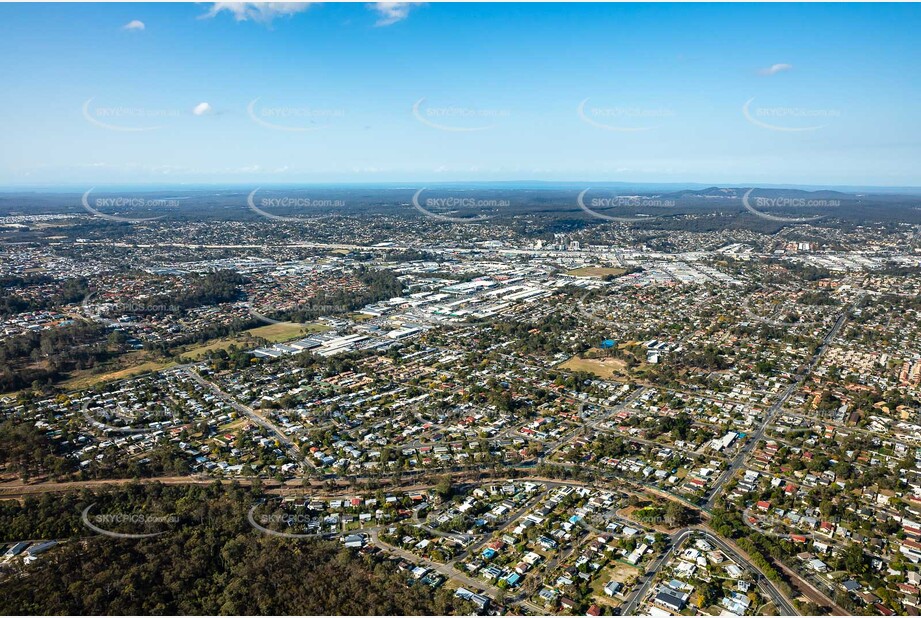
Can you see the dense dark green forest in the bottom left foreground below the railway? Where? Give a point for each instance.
(207, 561)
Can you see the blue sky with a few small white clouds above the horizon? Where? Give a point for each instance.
(718, 93)
